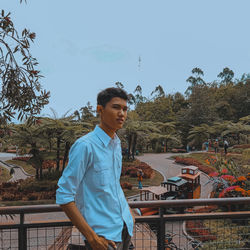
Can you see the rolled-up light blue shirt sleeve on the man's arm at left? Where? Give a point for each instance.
(79, 160)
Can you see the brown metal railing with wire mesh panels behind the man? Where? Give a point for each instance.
(227, 228)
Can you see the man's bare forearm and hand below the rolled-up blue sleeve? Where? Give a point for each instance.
(96, 242)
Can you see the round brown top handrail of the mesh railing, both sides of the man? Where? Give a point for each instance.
(133, 204)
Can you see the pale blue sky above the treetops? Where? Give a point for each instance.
(84, 46)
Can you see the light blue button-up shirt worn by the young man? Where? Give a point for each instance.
(92, 180)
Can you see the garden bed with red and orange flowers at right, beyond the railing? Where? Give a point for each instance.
(230, 177)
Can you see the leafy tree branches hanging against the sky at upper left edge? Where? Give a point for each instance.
(21, 90)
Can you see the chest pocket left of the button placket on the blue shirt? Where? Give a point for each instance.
(102, 174)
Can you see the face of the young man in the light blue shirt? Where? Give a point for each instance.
(114, 114)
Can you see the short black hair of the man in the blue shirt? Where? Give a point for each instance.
(107, 94)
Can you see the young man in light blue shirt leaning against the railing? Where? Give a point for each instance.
(89, 190)
